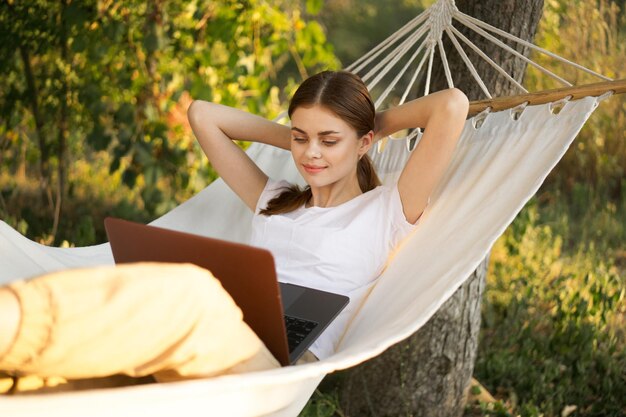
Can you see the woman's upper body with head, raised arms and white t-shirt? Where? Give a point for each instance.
(337, 233)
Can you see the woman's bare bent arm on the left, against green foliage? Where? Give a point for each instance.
(215, 126)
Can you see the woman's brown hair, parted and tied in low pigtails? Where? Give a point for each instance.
(346, 95)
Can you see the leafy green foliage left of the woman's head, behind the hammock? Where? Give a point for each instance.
(109, 83)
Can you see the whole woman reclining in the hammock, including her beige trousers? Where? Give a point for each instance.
(336, 234)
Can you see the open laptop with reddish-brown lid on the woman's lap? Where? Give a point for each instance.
(287, 320)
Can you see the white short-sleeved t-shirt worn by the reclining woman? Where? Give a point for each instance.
(341, 249)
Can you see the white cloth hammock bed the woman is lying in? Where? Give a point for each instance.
(495, 170)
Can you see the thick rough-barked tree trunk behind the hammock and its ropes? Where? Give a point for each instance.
(429, 373)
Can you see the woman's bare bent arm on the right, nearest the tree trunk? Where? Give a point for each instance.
(442, 115)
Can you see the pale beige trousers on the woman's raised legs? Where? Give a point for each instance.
(173, 321)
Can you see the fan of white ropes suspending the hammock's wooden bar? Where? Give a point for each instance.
(427, 29)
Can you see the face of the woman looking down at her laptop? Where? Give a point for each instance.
(324, 148)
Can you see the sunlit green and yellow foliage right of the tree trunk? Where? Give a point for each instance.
(553, 318)
